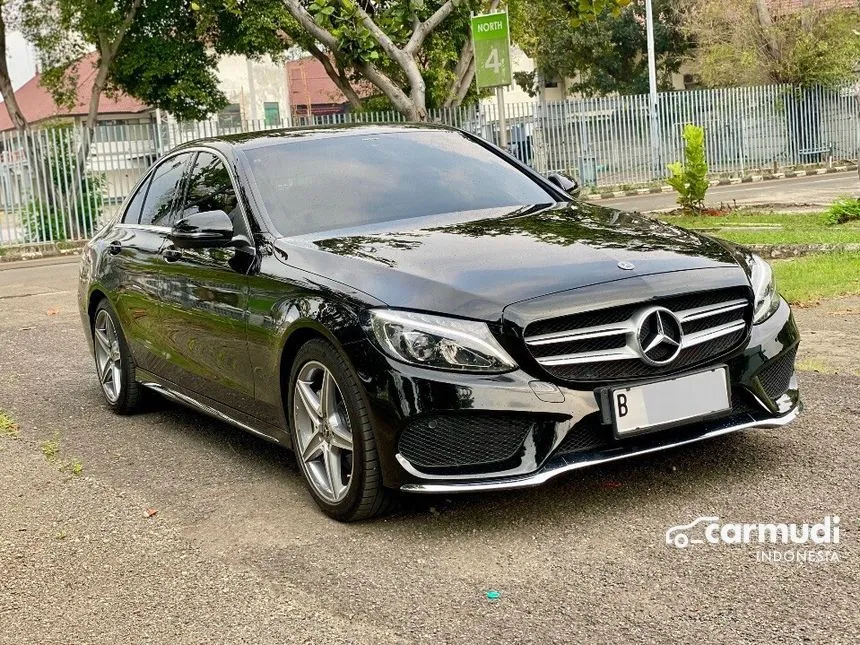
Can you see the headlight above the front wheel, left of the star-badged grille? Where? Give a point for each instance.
(438, 342)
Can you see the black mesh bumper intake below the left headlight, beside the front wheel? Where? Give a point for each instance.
(462, 440)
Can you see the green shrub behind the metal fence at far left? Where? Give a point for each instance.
(66, 204)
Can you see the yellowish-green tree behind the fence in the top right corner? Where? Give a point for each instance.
(745, 42)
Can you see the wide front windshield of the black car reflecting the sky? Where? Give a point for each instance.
(327, 183)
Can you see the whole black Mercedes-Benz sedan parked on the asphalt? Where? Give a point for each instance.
(412, 309)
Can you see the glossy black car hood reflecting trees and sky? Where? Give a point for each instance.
(474, 264)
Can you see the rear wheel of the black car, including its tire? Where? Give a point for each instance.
(114, 361)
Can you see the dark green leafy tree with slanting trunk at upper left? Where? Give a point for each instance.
(142, 48)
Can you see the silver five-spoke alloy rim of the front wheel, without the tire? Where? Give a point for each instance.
(323, 432)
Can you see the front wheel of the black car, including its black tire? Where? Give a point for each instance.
(318, 432)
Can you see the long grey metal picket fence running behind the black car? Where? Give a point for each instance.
(48, 194)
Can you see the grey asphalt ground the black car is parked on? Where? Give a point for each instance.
(238, 553)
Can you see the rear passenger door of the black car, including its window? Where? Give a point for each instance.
(135, 263)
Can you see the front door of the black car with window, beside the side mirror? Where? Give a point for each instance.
(206, 296)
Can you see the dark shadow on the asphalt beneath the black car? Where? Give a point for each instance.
(690, 471)
